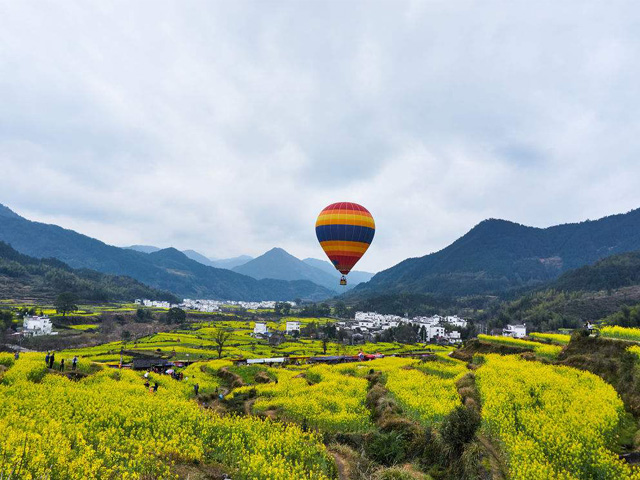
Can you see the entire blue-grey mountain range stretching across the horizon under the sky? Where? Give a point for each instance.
(494, 257)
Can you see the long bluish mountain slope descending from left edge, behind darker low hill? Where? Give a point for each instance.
(166, 269)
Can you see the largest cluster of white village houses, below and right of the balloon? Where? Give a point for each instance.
(434, 326)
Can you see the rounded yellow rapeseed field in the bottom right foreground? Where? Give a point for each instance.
(553, 422)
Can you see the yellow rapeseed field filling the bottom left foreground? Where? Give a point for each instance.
(108, 426)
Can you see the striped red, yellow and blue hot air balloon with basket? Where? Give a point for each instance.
(345, 231)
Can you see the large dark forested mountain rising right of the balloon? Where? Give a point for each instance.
(497, 255)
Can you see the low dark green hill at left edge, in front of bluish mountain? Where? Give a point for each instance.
(24, 277)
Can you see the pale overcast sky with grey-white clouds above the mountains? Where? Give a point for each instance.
(227, 126)
